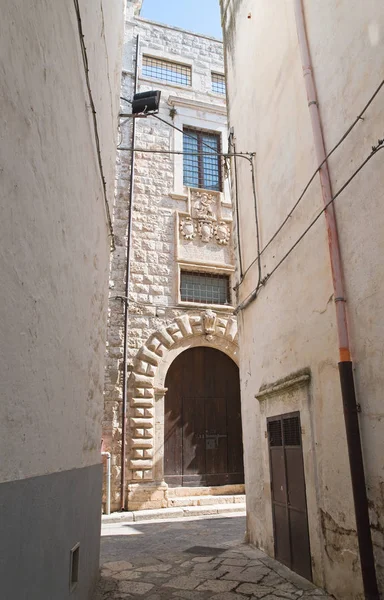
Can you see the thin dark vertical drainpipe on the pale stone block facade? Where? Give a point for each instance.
(127, 279)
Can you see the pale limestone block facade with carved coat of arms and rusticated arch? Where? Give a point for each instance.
(160, 245)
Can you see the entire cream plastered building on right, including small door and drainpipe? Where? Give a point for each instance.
(300, 501)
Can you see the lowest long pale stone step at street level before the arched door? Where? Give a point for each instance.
(173, 513)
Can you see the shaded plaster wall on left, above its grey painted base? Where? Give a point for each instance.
(54, 250)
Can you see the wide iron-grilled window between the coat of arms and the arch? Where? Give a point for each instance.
(206, 288)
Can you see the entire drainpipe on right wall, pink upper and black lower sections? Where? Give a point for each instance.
(345, 365)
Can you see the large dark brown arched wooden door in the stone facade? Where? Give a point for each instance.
(202, 426)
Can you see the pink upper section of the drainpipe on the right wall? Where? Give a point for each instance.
(333, 238)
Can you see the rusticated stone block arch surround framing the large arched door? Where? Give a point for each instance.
(142, 380)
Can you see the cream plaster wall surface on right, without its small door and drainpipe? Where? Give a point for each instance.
(292, 323)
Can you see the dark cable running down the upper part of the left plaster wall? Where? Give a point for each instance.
(95, 125)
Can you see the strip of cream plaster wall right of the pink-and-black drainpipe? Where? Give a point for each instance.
(355, 34)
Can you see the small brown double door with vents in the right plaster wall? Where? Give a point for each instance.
(289, 506)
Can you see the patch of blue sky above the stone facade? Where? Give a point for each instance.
(200, 16)
